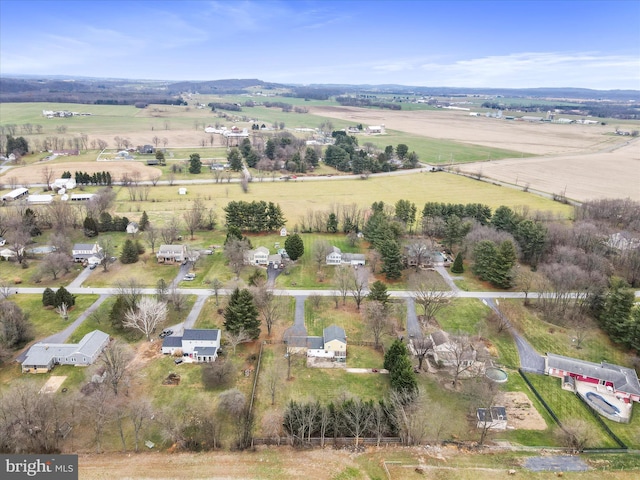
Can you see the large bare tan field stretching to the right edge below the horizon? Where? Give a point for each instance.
(584, 161)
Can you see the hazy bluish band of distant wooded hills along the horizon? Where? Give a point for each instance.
(124, 91)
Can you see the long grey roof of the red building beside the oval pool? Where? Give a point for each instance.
(624, 379)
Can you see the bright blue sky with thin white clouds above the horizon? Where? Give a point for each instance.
(516, 44)
